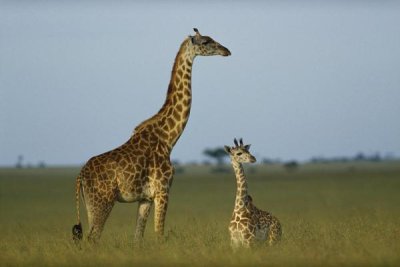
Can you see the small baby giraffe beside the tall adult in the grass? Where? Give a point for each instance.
(249, 225)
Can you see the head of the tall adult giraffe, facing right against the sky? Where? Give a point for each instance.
(206, 46)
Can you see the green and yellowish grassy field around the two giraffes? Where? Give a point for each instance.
(332, 215)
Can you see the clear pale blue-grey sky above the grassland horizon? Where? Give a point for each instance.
(305, 79)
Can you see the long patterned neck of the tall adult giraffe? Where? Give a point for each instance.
(171, 119)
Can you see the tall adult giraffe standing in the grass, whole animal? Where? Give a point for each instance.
(140, 169)
